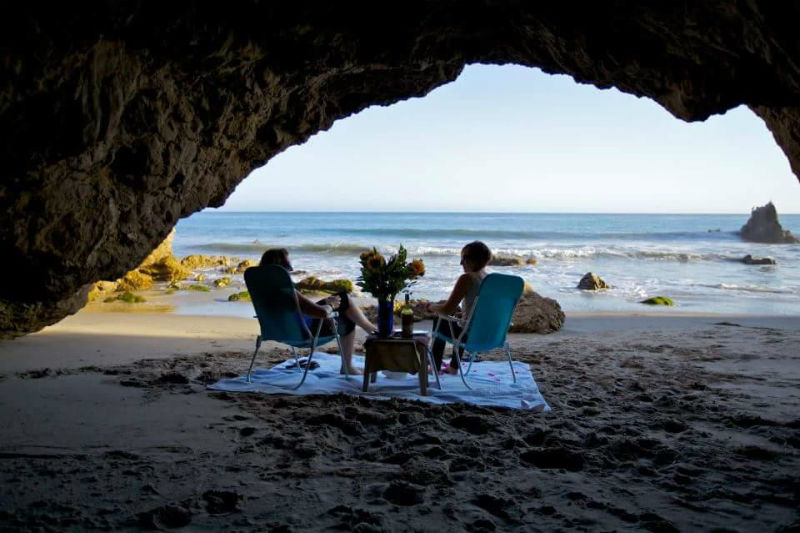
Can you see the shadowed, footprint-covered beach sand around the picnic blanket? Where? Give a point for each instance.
(679, 423)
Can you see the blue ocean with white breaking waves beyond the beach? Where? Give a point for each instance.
(693, 259)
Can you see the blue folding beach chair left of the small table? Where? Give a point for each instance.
(279, 316)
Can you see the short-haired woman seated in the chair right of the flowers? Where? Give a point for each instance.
(474, 258)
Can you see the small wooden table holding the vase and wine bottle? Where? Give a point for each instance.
(397, 354)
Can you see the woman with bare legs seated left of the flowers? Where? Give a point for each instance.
(349, 315)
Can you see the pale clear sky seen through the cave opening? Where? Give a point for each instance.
(514, 139)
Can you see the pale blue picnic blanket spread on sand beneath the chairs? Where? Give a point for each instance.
(490, 381)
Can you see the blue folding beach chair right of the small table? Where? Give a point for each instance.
(487, 324)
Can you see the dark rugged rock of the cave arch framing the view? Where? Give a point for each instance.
(119, 118)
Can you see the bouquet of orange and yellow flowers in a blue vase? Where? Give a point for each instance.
(385, 278)
